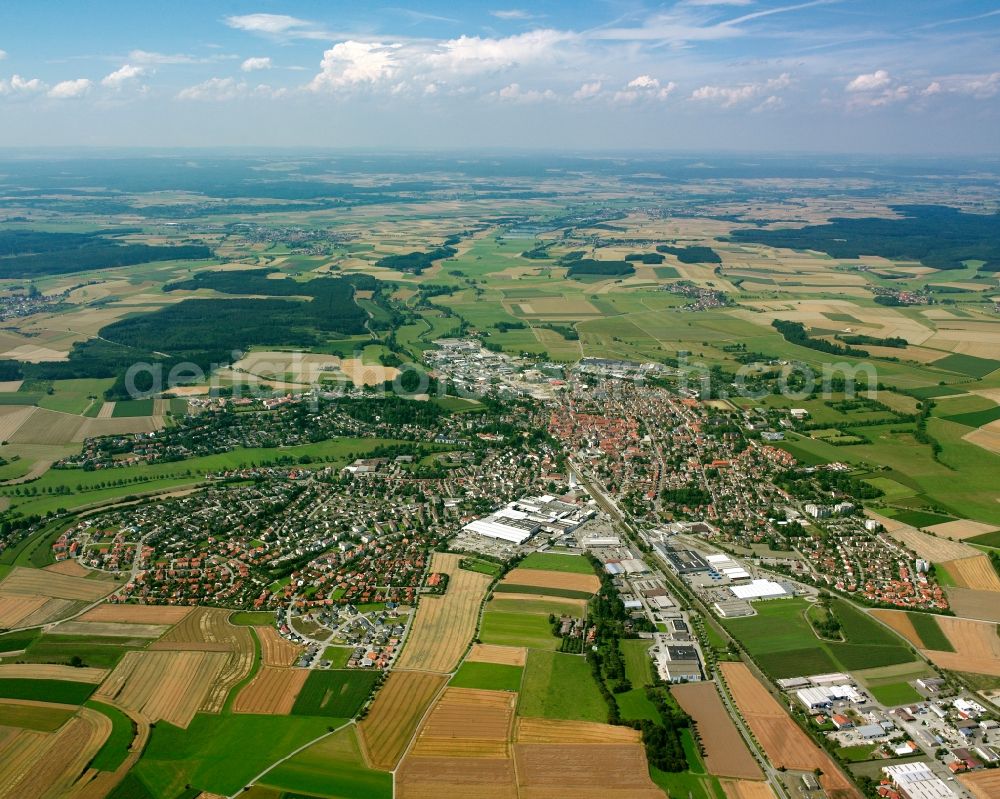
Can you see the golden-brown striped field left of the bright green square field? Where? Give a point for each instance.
(467, 723)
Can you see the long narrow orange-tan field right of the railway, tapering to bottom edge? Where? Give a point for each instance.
(784, 743)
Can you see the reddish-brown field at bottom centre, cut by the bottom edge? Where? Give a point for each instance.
(553, 771)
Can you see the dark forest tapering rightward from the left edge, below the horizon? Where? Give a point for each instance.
(32, 253)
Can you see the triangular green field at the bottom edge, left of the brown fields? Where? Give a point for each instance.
(332, 768)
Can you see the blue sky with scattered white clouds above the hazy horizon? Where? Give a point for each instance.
(868, 76)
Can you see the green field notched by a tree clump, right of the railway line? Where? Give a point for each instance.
(784, 645)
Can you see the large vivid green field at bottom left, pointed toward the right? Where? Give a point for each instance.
(221, 753)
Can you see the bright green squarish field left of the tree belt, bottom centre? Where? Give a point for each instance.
(559, 686)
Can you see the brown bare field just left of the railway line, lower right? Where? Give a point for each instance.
(726, 755)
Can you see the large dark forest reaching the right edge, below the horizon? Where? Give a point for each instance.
(935, 235)
